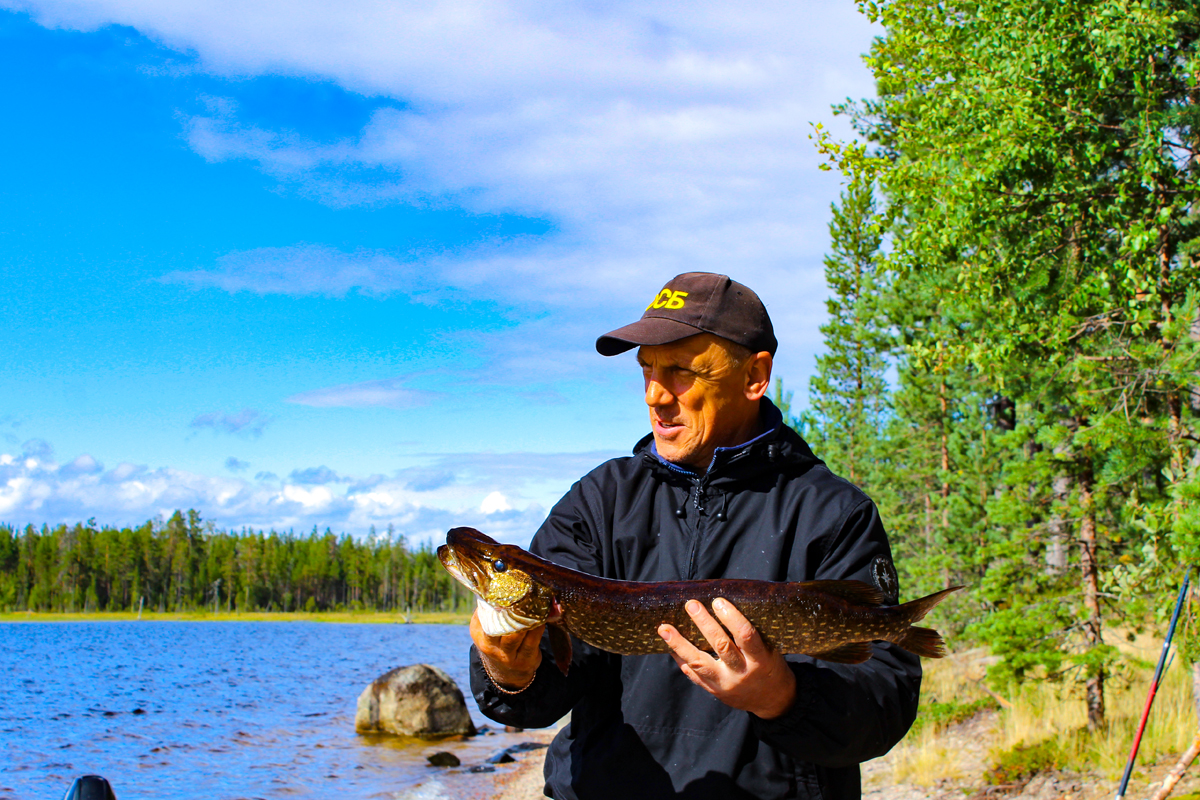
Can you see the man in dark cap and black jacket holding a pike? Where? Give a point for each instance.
(721, 489)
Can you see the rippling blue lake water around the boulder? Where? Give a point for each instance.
(226, 711)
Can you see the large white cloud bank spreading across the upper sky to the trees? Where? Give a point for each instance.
(657, 137)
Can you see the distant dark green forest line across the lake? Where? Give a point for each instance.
(184, 564)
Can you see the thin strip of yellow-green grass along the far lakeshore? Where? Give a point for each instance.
(453, 618)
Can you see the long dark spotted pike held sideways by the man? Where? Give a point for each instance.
(831, 621)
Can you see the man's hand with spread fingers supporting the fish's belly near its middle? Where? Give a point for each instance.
(745, 675)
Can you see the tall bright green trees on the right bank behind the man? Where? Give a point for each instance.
(1012, 346)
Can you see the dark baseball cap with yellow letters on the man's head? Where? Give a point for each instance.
(698, 303)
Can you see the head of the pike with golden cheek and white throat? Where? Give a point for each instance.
(493, 572)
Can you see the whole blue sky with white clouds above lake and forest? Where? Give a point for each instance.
(305, 264)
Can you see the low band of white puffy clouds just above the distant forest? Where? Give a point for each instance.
(506, 495)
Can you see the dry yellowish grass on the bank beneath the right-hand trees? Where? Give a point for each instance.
(1046, 727)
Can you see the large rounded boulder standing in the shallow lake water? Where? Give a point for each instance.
(417, 701)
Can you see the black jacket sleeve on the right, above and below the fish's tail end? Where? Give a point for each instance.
(847, 714)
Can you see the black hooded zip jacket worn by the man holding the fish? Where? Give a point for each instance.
(767, 510)
